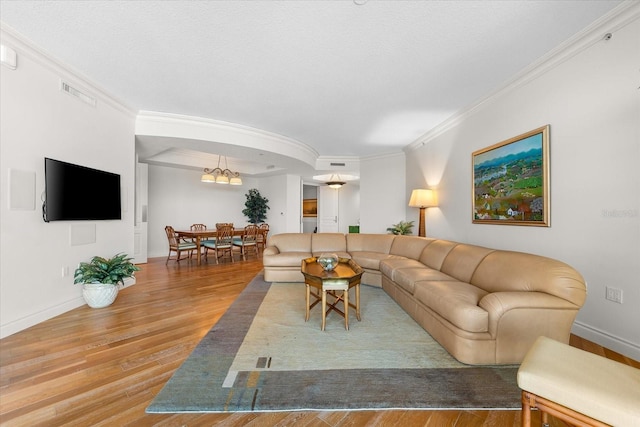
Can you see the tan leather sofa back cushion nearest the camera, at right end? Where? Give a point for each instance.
(503, 271)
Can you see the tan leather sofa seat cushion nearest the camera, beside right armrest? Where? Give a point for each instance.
(455, 301)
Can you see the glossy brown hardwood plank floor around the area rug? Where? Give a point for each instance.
(102, 367)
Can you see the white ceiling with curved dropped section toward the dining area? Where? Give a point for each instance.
(341, 79)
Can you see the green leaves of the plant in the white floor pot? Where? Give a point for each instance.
(103, 270)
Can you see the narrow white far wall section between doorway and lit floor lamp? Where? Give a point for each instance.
(383, 193)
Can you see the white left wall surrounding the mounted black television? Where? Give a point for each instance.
(37, 120)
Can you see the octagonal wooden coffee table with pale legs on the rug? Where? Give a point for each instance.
(345, 276)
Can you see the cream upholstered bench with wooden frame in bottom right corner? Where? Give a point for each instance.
(578, 387)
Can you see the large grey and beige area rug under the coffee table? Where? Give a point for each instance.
(263, 356)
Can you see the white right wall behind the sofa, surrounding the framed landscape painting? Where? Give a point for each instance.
(592, 103)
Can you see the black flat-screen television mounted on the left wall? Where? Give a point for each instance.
(74, 192)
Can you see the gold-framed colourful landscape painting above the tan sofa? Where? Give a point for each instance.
(511, 181)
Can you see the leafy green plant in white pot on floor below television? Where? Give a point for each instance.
(100, 278)
